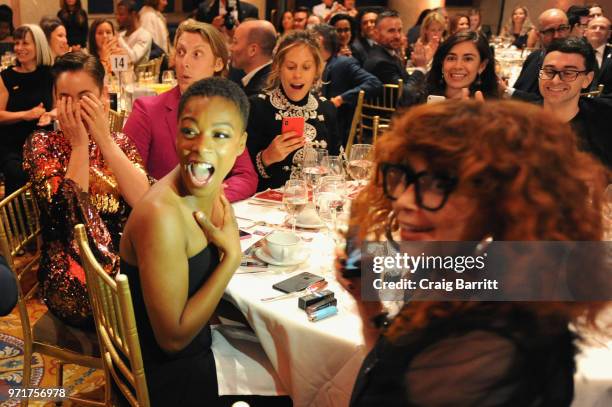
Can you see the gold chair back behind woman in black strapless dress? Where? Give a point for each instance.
(115, 320)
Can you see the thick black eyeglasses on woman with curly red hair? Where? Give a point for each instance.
(431, 189)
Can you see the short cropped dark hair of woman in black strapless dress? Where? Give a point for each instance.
(217, 86)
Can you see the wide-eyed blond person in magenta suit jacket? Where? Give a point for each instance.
(153, 123)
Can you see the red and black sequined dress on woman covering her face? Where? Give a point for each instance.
(63, 205)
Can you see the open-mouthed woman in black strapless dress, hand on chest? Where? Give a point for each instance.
(180, 247)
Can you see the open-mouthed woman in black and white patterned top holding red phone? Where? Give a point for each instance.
(296, 70)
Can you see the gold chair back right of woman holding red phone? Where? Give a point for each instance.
(383, 106)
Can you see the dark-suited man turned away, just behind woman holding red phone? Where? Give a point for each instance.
(343, 78)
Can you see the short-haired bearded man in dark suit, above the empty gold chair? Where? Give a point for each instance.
(384, 61)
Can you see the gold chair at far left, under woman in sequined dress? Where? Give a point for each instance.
(19, 230)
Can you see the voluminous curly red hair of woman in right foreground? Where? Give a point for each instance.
(523, 170)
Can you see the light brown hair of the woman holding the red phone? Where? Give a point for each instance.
(286, 43)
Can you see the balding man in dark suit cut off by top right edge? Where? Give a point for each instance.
(598, 34)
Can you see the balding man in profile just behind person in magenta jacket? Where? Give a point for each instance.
(251, 48)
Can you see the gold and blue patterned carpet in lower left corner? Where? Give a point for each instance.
(77, 379)
